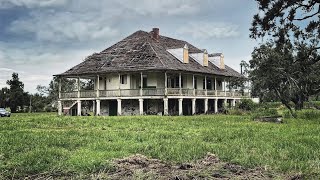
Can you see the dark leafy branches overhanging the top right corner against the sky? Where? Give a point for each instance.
(288, 20)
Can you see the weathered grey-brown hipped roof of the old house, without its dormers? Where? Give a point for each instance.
(141, 52)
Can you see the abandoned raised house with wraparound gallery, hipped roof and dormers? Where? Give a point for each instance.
(147, 73)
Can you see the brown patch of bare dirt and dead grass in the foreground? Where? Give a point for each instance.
(210, 167)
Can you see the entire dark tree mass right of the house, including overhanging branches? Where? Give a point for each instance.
(287, 65)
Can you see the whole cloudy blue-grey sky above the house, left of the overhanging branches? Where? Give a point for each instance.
(39, 38)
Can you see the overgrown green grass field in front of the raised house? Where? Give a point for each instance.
(46, 143)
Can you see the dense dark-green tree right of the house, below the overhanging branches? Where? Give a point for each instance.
(290, 73)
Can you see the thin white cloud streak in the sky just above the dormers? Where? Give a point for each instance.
(207, 30)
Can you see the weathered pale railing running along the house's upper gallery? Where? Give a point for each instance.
(151, 92)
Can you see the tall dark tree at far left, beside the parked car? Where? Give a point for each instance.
(16, 95)
